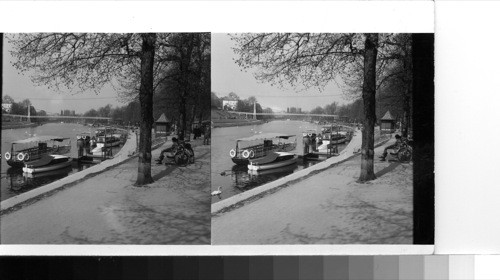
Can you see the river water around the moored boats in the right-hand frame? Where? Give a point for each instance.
(235, 179)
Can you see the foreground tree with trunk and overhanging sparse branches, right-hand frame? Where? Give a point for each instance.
(314, 60)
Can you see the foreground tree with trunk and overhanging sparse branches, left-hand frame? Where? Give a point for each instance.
(89, 61)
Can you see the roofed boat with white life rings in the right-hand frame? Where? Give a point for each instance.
(259, 146)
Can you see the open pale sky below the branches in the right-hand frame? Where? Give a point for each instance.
(227, 77)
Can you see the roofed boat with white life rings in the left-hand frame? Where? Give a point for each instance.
(31, 149)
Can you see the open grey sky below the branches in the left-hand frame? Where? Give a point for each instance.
(20, 87)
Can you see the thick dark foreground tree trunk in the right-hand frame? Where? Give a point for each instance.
(367, 145)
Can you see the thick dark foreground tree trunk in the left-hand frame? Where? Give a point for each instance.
(146, 102)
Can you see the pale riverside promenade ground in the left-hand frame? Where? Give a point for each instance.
(108, 209)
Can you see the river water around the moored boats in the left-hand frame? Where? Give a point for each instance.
(13, 180)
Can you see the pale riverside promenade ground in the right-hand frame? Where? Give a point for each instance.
(327, 208)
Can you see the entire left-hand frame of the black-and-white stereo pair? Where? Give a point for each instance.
(105, 138)
